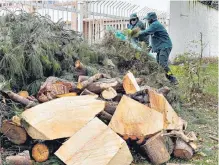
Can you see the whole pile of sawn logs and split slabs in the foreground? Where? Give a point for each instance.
(96, 117)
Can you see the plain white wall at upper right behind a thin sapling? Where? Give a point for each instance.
(187, 20)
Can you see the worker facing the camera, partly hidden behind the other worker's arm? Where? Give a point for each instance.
(136, 23)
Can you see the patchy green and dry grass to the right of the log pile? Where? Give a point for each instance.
(202, 118)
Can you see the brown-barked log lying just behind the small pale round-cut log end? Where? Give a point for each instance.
(101, 85)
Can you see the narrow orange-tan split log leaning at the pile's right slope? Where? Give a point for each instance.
(159, 103)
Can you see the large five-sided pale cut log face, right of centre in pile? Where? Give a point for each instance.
(135, 119)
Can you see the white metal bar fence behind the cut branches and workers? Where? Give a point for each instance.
(88, 16)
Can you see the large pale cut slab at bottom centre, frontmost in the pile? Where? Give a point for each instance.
(99, 145)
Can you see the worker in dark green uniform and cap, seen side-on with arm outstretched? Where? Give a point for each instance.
(160, 43)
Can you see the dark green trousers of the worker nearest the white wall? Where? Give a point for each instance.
(162, 58)
